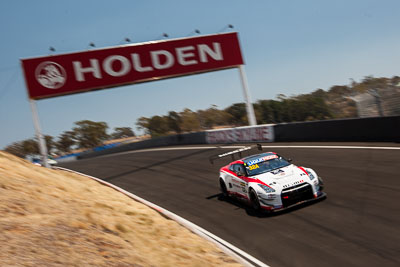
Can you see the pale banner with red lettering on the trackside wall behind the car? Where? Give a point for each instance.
(261, 133)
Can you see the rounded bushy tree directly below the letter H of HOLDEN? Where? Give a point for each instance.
(90, 134)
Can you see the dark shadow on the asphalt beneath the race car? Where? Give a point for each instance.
(263, 214)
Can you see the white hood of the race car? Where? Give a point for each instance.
(285, 177)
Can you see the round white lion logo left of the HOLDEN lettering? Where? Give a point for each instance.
(51, 75)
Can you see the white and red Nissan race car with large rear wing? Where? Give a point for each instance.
(267, 181)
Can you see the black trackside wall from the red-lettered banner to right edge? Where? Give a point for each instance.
(376, 129)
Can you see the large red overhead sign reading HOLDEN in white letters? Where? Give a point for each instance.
(72, 73)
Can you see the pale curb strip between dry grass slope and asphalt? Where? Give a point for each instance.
(239, 255)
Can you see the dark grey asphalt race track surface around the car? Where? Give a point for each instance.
(357, 225)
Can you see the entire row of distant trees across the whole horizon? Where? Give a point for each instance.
(337, 102)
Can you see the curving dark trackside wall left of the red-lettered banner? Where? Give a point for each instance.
(181, 139)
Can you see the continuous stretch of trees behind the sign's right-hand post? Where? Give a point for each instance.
(318, 105)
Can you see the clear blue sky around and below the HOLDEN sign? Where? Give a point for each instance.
(290, 47)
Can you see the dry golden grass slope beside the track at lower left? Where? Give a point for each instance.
(55, 218)
